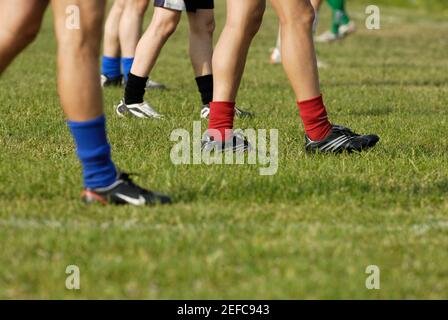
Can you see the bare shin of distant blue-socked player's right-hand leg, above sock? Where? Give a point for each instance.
(131, 25)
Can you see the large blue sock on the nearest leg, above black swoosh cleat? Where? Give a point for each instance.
(93, 151)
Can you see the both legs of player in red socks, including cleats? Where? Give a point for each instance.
(296, 19)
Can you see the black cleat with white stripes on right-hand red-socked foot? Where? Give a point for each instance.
(341, 139)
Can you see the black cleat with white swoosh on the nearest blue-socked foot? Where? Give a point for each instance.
(124, 191)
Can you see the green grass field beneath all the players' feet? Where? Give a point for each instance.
(310, 231)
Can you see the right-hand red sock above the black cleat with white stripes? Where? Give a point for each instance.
(315, 119)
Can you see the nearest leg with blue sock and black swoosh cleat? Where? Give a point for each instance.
(81, 98)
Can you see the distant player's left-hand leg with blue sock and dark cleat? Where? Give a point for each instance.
(111, 62)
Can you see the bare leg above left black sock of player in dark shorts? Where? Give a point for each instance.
(164, 23)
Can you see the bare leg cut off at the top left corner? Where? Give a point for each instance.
(20, 21)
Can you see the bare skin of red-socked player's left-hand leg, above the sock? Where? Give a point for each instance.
(243, 21)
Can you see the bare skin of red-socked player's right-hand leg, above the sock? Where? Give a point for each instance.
(299, 57)
